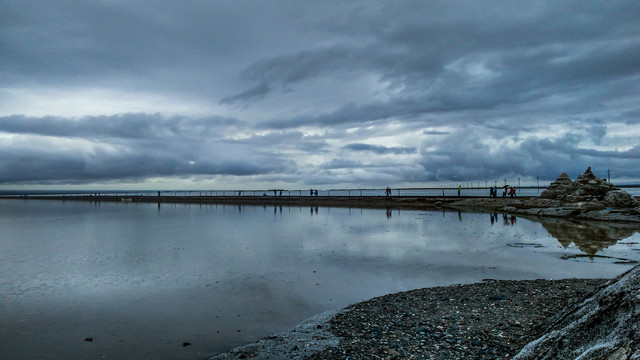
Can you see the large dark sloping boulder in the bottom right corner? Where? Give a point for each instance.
(604, 326)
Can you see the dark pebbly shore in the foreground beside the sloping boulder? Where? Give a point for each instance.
(493, 319)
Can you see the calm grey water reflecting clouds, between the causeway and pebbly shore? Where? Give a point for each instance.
(140, 279)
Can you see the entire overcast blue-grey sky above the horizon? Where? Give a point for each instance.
(297, 94)
